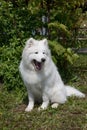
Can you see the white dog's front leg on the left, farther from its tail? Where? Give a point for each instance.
(31, 103)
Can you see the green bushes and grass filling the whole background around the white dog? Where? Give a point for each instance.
(62, 23)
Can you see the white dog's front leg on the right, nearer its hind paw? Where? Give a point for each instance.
(45, 102)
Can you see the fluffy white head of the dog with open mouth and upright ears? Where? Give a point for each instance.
(36, 54)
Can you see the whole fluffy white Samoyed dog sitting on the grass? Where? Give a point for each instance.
(41, 77)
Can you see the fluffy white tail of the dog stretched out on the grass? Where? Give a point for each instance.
(71, 91)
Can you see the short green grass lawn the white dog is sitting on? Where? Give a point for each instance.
(70, 116)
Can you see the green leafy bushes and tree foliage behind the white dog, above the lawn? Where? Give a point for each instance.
(17, 22)
